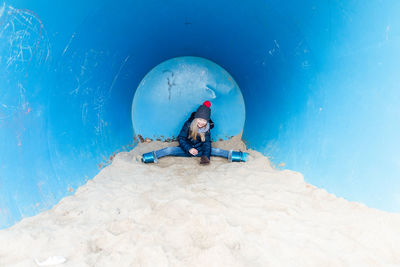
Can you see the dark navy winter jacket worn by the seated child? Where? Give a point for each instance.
(186, 143)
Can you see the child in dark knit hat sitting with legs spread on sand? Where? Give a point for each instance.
(195, 141)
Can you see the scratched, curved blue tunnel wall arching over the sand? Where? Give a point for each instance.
(320, 81)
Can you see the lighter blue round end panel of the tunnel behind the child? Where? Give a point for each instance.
(172, 90)
